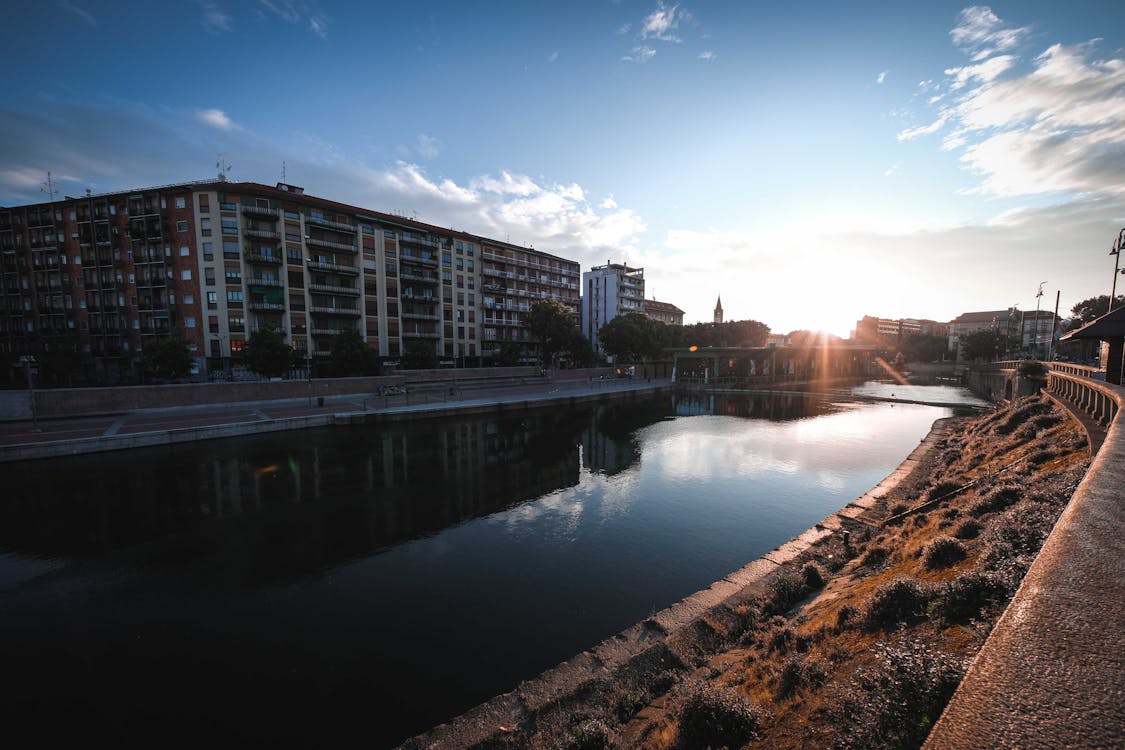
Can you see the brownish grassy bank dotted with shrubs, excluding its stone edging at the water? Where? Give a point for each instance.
(862, 640)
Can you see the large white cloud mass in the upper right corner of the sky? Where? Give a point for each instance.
(1058, 125)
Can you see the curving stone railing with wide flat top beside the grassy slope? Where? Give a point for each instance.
(1051, 673)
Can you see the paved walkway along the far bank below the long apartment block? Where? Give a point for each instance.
(69, 437)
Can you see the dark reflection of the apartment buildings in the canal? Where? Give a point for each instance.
(283, 507)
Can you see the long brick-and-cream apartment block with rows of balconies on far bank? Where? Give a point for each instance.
(217, 261)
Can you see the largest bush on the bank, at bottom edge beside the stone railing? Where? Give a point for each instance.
(895, 702)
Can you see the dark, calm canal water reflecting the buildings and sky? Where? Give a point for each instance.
(356, 586)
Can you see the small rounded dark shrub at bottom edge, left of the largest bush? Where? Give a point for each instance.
(715, 717)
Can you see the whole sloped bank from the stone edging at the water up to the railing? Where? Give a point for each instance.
(739, 658)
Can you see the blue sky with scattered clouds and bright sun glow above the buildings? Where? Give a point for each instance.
(811, 162)
